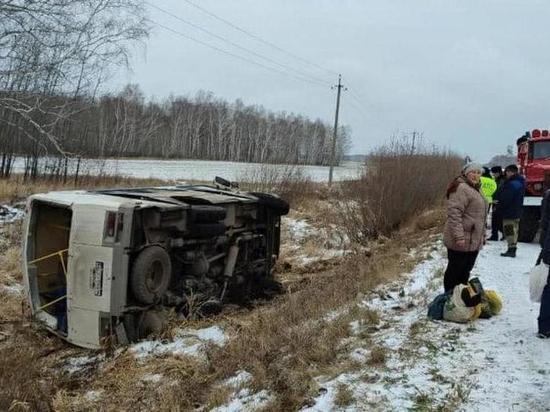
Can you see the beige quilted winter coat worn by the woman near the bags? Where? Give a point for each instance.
(466, 216)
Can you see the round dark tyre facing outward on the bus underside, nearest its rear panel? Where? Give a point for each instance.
(151, 273)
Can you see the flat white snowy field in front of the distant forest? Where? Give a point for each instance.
(200, 169)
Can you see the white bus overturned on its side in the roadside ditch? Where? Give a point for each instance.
(103, 266)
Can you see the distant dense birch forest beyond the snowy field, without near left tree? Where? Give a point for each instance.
(203, 127)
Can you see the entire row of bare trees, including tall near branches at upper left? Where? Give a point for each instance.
(54, 55)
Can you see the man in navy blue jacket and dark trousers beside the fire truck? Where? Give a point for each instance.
(509, 200)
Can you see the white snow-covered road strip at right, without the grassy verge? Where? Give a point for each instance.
(514, 365)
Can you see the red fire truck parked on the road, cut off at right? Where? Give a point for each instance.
(534, 163)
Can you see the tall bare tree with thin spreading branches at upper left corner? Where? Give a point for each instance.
(52, 52)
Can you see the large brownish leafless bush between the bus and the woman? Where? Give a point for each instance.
(400, 180)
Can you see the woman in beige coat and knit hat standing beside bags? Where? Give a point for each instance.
(464, 234)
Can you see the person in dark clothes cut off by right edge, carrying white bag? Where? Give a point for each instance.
(544, 314)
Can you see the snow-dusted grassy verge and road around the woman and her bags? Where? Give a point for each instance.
(489, 365)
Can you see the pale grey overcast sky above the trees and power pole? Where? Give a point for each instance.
(472, 75)
